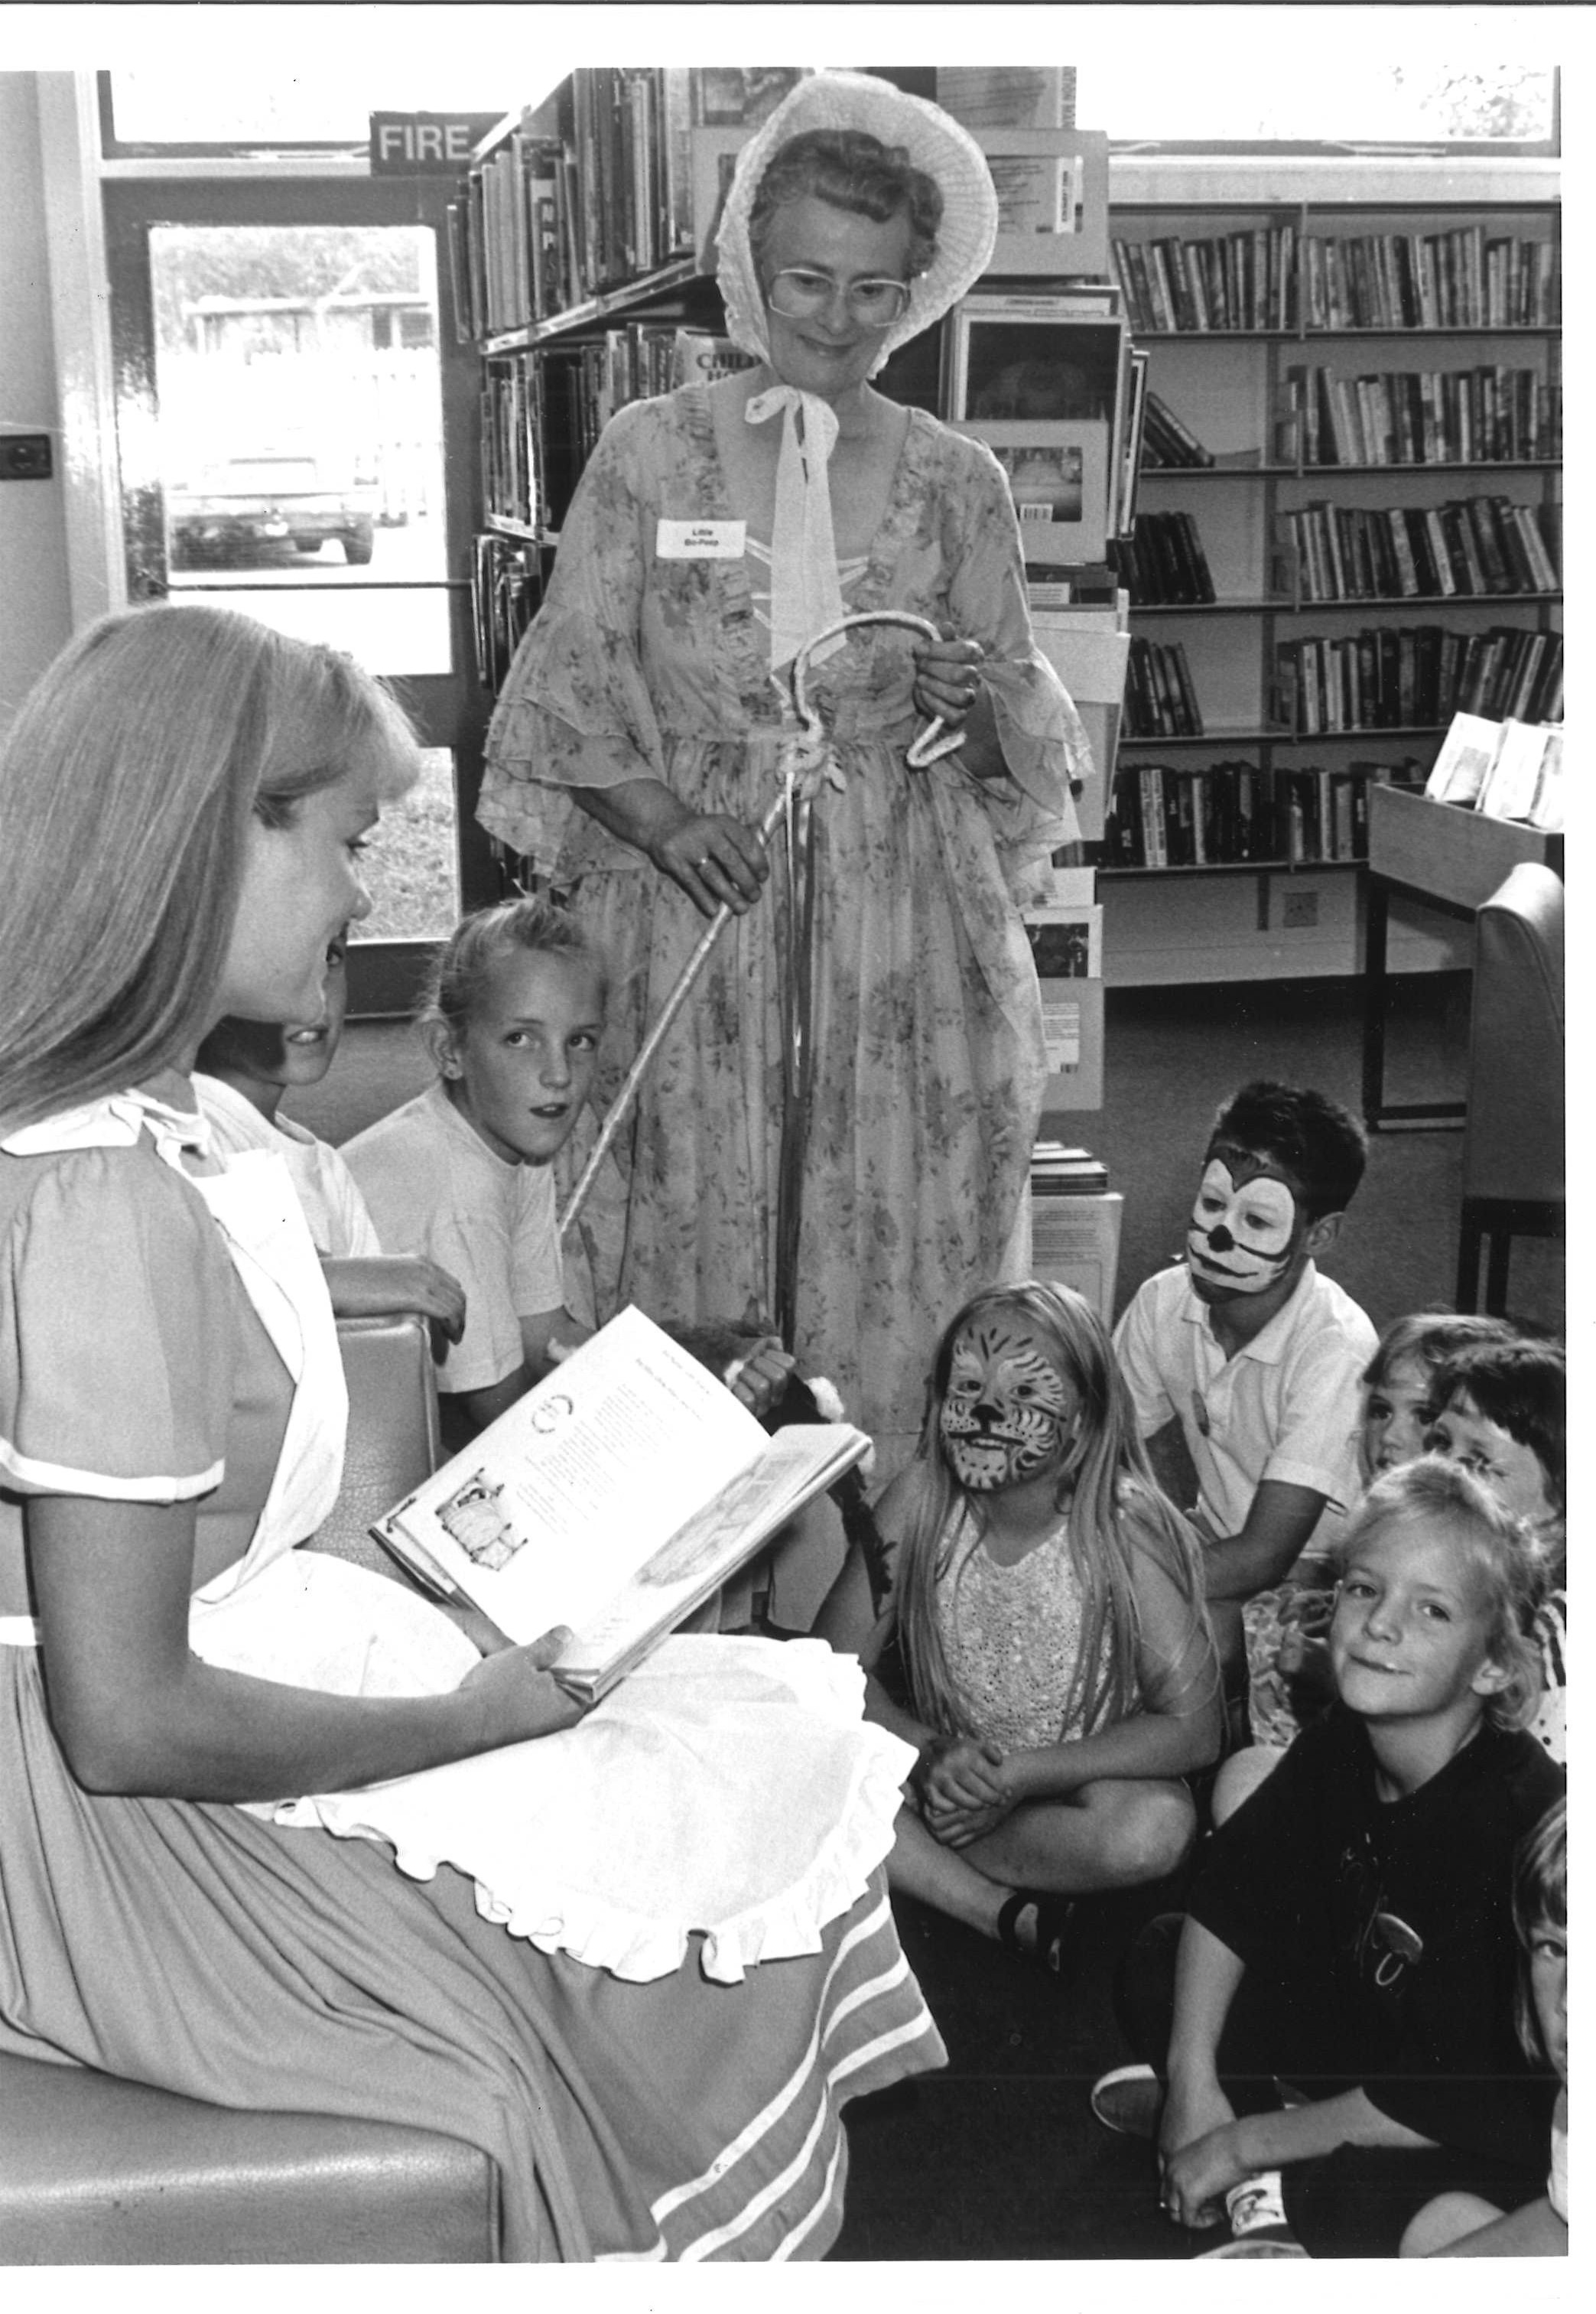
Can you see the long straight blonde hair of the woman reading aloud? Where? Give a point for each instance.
(126, 793)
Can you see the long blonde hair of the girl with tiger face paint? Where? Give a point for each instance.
(1109, 1498)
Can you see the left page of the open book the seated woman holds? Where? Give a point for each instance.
(563, 1498)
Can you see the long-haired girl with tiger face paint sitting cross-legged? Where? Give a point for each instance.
(1049, 1619)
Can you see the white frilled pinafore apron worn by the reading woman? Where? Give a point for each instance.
(727, 1788)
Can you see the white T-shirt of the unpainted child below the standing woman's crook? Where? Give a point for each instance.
(436, 1188)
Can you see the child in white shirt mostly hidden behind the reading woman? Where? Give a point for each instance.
(244, 1073)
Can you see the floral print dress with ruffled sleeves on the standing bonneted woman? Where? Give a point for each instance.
(924, 1012)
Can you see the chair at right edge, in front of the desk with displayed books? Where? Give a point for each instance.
(1514, 1177)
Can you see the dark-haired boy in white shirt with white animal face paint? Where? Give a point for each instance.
(1253, 1355)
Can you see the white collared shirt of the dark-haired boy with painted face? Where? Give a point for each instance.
(1283, 1408)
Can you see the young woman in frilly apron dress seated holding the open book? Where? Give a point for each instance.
(184, 802)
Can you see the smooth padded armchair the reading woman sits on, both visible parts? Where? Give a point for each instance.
(98, 2172)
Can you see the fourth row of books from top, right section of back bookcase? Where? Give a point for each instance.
(1405, 677)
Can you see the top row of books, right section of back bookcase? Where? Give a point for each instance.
(1461, 279)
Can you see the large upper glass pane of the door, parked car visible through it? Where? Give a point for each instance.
(300, 413)
